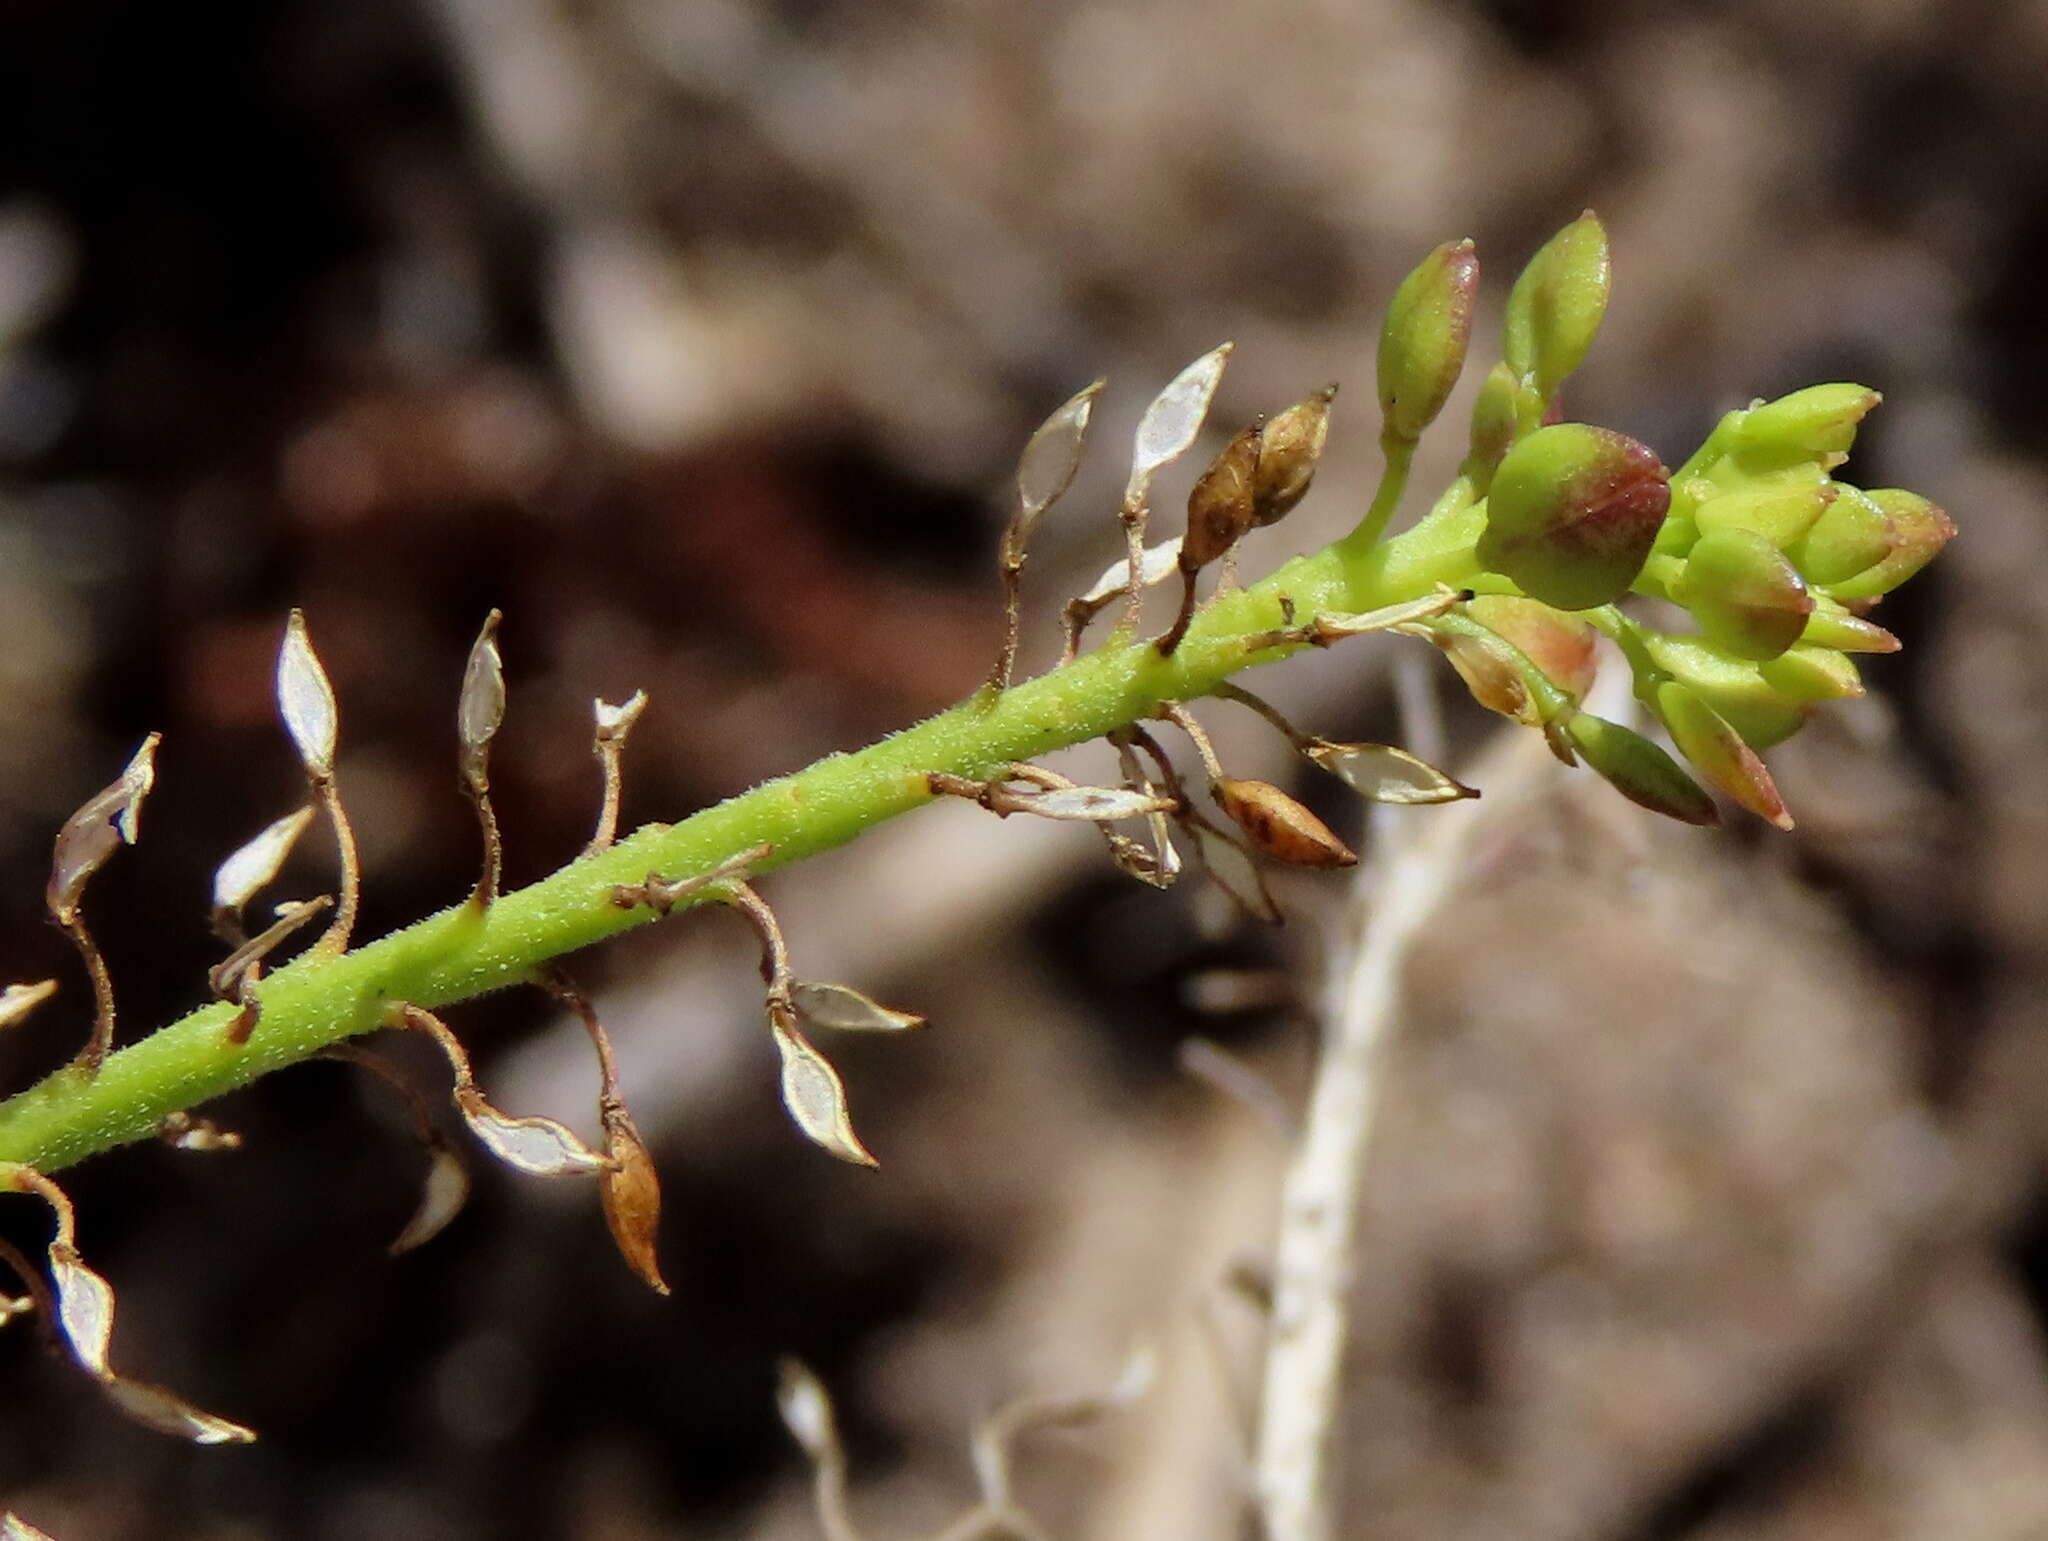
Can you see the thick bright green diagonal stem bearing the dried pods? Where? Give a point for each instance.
(466, 952)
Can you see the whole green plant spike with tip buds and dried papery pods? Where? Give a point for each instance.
(1519, 575)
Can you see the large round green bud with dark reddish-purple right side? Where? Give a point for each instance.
(1574, 513)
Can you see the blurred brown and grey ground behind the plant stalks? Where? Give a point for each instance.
(701, 337)
